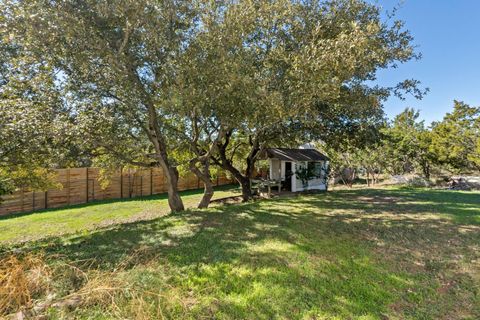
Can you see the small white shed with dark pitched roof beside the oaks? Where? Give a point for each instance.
(298, 169)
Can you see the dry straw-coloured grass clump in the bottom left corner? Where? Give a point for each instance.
(25, 285)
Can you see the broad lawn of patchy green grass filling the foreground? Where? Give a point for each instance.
(346, 254)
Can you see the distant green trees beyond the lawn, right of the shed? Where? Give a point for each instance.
(406, 145)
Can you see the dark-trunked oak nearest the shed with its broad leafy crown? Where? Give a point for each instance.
(285, 71)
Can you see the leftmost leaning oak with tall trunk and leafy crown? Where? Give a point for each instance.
(116, 62)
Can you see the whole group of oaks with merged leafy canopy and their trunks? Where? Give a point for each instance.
(171, 83)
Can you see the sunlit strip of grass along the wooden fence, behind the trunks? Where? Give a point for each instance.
(85, 217)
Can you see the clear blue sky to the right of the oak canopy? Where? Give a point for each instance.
(447, 33)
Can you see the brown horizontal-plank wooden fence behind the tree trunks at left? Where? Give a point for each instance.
(82, 185)
